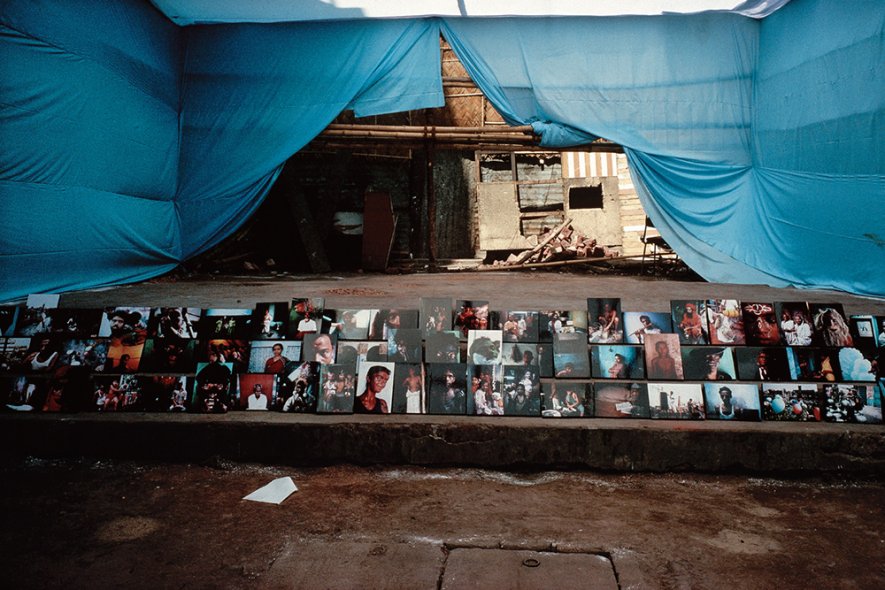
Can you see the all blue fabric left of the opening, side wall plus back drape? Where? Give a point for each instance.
(129, 144)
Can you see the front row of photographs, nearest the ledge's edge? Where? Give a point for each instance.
(448, 389)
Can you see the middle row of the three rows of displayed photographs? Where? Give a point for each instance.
(661, 356)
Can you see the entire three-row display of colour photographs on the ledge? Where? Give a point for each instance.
(447, 357)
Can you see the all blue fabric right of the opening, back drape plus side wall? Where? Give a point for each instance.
(756, 147)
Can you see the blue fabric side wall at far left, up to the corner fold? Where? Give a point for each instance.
(88, 144)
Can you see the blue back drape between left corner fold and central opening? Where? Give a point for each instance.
(256, 94)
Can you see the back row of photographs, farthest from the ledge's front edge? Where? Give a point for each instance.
(726, 322)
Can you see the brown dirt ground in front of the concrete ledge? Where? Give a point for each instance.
(86, 524)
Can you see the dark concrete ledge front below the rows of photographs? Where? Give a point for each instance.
(504, 443)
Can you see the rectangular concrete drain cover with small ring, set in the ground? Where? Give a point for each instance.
(500, 568)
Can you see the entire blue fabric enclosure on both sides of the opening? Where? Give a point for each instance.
(130, 144)
